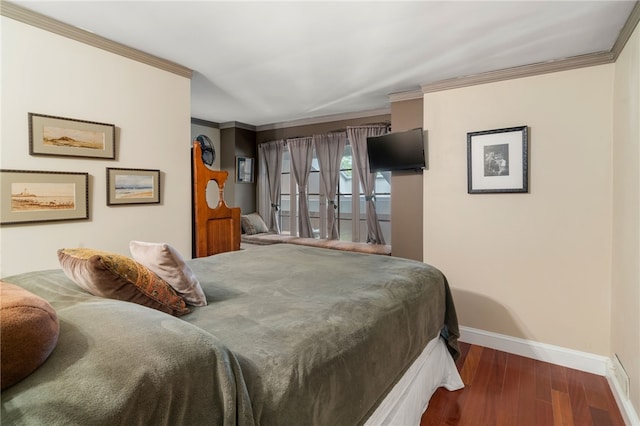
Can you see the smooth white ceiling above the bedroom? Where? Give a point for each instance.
(271, 62)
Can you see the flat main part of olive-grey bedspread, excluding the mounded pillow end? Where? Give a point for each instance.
(321, 335)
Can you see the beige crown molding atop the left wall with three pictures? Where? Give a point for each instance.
(43, 22)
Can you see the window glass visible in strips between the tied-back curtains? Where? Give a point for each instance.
(352, 218)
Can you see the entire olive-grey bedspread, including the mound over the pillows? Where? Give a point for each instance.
(292, 335)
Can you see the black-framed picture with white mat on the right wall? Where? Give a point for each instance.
(497, 160)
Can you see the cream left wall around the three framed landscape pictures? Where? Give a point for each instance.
(49, 74)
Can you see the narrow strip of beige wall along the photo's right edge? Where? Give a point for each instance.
(625, 306)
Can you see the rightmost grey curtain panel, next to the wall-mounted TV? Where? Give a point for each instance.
(358, 139)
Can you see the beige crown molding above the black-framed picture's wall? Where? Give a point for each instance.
(521, 72)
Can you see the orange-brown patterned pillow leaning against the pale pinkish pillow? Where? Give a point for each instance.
(119, 277)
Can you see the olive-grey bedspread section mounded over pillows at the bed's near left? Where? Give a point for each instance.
(118, 363)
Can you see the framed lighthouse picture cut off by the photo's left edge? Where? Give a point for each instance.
(36, 196)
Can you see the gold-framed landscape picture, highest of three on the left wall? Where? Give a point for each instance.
(67, 137)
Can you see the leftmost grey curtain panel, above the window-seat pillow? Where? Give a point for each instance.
(271, 154)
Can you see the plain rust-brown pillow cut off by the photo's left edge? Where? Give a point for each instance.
(29, 332)
